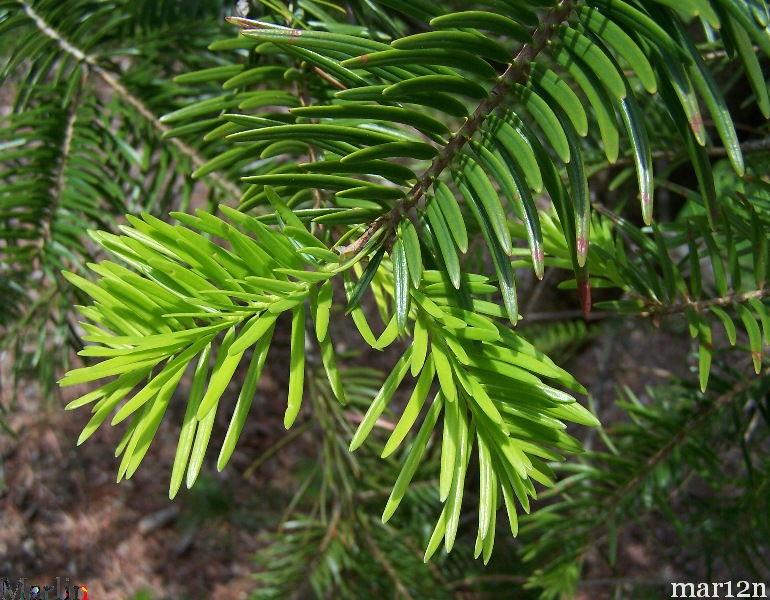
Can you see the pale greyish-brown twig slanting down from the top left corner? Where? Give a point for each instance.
(119, 89)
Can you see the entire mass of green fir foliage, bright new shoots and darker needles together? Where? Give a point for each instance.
(396, 166)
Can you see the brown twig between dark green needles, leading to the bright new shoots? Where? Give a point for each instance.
(516, 72)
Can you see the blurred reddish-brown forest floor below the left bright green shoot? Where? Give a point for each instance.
(63, 515)
